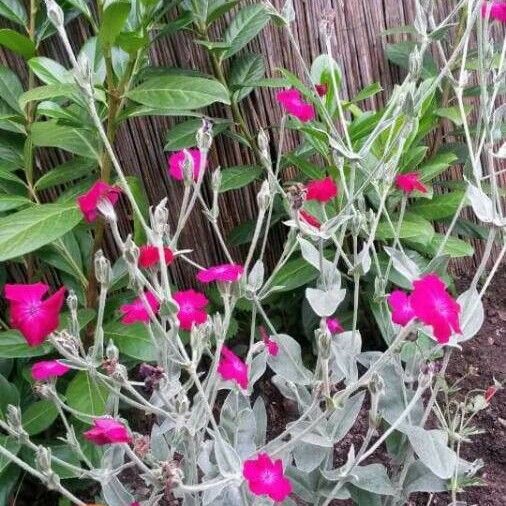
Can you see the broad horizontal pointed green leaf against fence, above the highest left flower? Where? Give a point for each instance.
(179, 92)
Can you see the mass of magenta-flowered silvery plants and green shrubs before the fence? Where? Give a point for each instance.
(361, 258)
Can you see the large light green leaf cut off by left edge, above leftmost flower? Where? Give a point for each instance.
(31, 228)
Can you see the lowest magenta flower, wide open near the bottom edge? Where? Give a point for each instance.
(265, 477)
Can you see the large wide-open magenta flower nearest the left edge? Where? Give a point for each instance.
(33, 317)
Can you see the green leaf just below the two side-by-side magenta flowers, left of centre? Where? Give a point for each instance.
(132, 340)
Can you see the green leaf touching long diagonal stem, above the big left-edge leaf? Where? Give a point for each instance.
(76, 140)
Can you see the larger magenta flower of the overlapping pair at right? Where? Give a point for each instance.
(434, 306)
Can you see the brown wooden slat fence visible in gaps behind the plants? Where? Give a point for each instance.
(359, 48)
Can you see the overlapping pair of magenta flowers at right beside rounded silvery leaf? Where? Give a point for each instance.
(431, 304)
